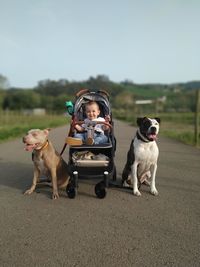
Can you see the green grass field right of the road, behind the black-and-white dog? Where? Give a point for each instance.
(179, 126)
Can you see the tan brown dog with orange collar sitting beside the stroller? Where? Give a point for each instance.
(46, 161)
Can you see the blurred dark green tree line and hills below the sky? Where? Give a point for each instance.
(51, 94)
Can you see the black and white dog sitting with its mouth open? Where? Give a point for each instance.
(142, 156)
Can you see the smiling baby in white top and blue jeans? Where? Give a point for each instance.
(91, 131)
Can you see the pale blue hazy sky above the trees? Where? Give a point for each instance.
(144, 41)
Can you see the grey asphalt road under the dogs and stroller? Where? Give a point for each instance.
(120, 230)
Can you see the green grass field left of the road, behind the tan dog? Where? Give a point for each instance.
(14, 124)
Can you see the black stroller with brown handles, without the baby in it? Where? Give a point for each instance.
(91, 161)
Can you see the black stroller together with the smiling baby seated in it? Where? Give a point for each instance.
(91, 141)
